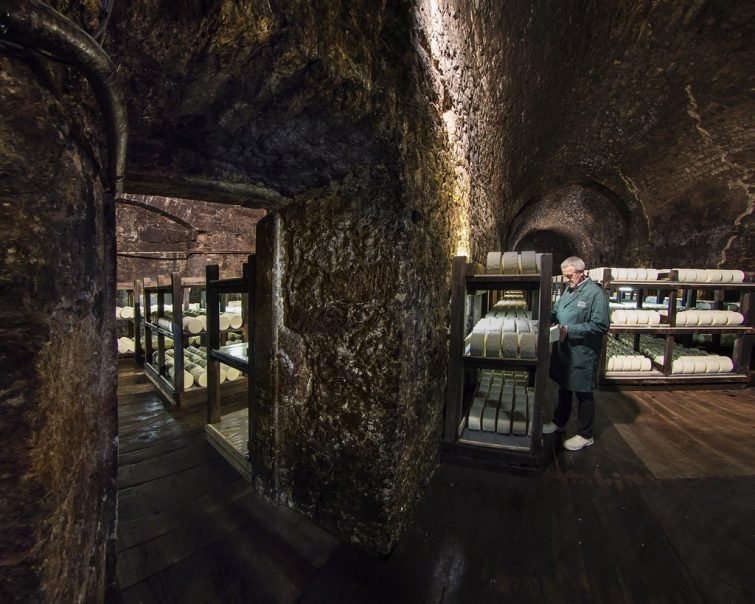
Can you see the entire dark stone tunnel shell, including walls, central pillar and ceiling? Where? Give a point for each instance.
(382, 139)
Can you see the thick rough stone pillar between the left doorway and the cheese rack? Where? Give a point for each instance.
(350, 380)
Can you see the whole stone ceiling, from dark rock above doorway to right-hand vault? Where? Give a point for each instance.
(264, 103)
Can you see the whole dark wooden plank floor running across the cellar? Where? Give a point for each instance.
(660, 509)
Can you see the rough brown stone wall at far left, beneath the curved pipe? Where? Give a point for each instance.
(58, 413)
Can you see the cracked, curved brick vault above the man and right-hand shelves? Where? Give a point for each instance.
(645, 102)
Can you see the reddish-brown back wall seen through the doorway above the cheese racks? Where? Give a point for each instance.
(159, 235)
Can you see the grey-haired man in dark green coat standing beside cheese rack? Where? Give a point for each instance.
(583, 318)
